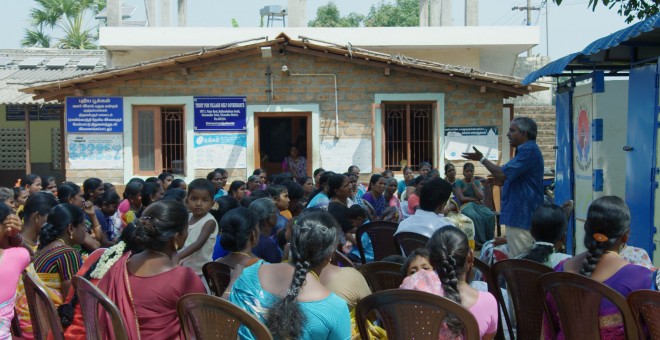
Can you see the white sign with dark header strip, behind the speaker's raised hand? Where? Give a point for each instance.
(461, 139)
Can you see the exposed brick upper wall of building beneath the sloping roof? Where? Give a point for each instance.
(357, 85)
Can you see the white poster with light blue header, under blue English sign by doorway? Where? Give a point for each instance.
(221, 150)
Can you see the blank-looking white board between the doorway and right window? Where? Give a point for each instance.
(338, 154)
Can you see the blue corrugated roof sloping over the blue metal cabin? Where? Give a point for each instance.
(621, 37)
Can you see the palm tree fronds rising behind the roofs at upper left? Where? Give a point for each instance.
(69, 17)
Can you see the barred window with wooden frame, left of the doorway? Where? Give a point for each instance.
(158, 142)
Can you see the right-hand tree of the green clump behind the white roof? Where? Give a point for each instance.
(402, 13)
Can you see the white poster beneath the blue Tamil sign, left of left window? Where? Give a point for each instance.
(102, 151)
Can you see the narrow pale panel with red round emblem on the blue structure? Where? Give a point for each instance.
(582, 154)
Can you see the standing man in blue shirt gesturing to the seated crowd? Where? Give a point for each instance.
(522, 180)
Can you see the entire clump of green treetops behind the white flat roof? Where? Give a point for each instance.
(383, 14)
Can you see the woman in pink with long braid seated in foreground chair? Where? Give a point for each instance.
(452, 258)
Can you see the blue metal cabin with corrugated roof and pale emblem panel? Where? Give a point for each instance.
(606, 129)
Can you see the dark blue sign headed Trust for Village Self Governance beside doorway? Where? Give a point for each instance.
(220, 113)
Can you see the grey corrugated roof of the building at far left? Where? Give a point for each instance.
(13, 79)
